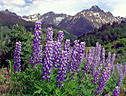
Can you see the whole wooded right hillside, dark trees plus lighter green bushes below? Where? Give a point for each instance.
(112, 37)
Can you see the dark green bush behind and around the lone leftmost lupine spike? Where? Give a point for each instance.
(19, 34)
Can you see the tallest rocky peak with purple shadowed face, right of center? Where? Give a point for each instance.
(92, 18)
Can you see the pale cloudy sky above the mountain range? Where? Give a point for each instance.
(70, 7)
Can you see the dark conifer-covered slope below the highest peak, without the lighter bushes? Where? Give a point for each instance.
(105, 35)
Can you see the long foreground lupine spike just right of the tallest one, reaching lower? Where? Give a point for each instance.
(48, 60)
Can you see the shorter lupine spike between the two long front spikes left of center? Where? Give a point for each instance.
(56, 53)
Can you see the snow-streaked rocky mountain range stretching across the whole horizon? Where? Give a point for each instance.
(84, 21)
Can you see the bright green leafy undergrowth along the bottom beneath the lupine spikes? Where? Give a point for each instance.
(29, 83)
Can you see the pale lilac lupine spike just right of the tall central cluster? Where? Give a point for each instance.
(88, 63)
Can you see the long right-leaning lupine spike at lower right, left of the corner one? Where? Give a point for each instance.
(103, 80)
